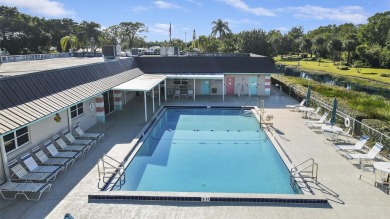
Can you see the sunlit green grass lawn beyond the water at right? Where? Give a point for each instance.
(328, 67)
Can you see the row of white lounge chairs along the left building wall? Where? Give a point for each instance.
(45, 167)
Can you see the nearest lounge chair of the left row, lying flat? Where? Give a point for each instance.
(23, 189)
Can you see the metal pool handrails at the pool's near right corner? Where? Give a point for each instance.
(306, 169)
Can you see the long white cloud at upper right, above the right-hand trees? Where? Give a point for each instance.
(353, 14)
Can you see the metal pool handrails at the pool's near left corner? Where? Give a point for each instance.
(110, 170)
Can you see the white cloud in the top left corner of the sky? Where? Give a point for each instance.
(41, 7)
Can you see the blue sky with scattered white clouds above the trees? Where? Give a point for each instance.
(185, 16)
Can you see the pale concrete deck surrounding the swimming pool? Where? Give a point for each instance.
(348, 196)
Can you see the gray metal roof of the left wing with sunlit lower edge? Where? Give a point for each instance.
(33, 96)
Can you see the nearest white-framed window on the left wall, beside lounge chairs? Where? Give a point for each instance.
(16, 139)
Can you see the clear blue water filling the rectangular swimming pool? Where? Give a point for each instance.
(207, 150)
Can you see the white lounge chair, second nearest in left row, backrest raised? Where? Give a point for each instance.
(22, 174)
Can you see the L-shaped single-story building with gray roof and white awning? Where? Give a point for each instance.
(41, 98)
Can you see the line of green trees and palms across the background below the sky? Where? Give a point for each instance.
(365, 44)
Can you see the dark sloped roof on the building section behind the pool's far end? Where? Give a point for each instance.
(204, 64)
